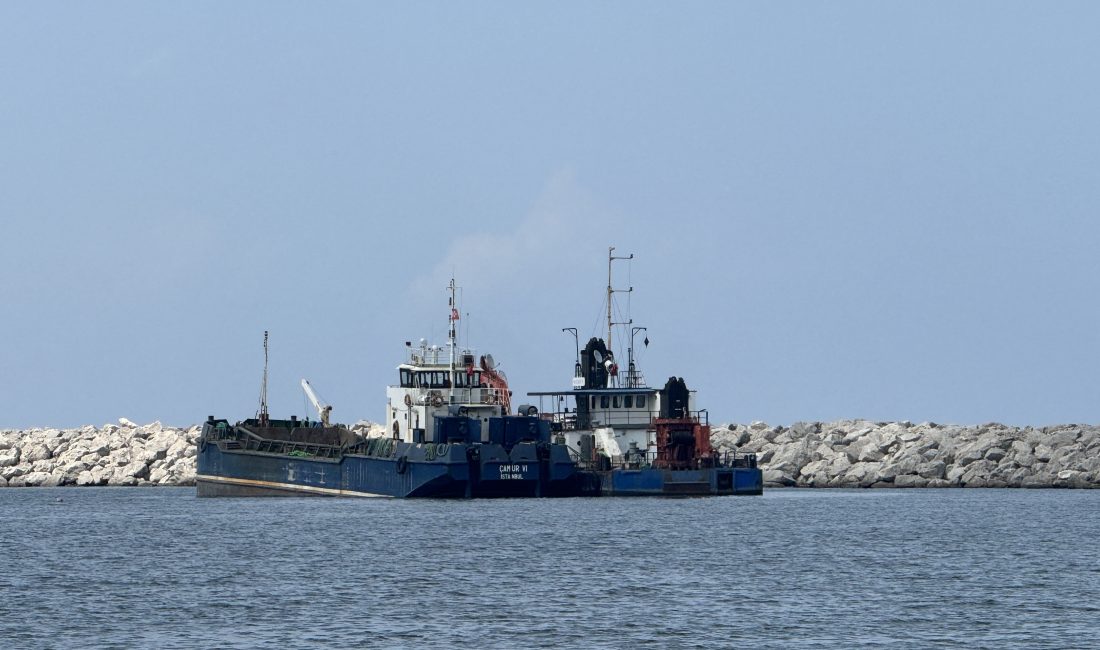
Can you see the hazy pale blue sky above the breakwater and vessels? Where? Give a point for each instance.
(883, 211)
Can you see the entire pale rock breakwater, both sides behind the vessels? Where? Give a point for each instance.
(846, 454)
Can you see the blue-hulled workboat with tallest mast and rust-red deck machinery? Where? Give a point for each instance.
(639, 440)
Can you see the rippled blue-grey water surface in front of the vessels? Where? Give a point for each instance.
(812, 569)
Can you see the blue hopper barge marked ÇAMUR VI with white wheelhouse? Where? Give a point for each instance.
(449, 434)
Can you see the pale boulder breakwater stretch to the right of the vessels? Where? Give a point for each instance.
(861, 454)
